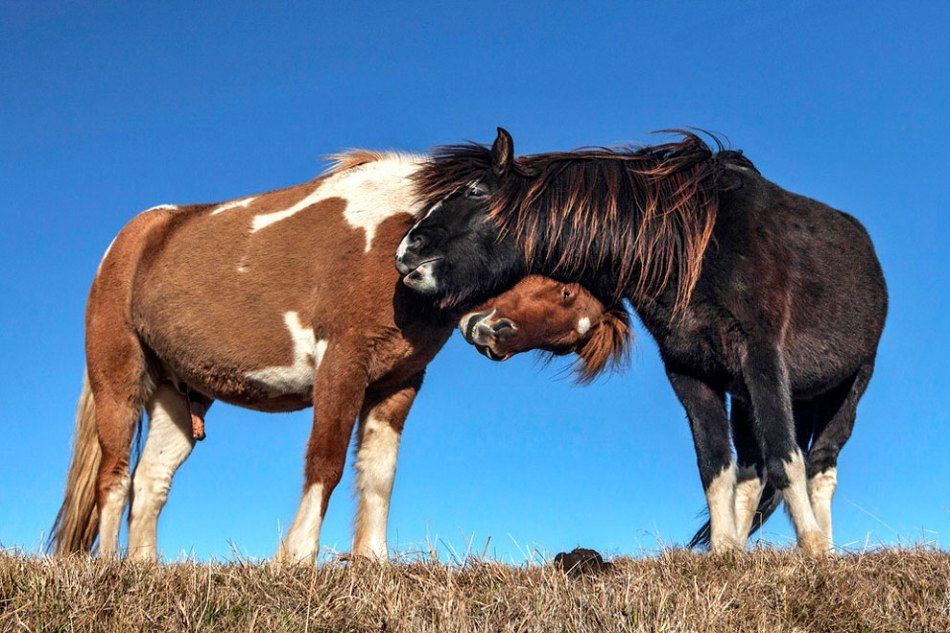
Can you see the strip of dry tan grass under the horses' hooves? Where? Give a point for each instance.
(888, 590)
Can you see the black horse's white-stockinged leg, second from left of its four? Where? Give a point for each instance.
(750, 469)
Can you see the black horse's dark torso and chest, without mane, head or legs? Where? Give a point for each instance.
(786, 269)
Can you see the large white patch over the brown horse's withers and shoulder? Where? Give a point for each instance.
(373, 192)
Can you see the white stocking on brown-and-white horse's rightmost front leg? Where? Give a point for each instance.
(375, 471)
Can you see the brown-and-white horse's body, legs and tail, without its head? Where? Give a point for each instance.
(274, 302)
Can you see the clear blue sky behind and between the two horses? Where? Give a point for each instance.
(112, 107)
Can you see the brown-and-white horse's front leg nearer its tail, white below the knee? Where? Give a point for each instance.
(338, 393)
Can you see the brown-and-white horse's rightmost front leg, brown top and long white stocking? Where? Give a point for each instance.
(381, 424)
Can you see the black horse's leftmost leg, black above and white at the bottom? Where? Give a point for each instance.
(706, 410)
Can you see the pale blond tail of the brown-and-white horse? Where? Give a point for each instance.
(77, 522)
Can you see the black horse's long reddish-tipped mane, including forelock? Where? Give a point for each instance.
(645, 214)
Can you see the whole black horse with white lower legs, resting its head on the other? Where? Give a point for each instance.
(749, 290)
